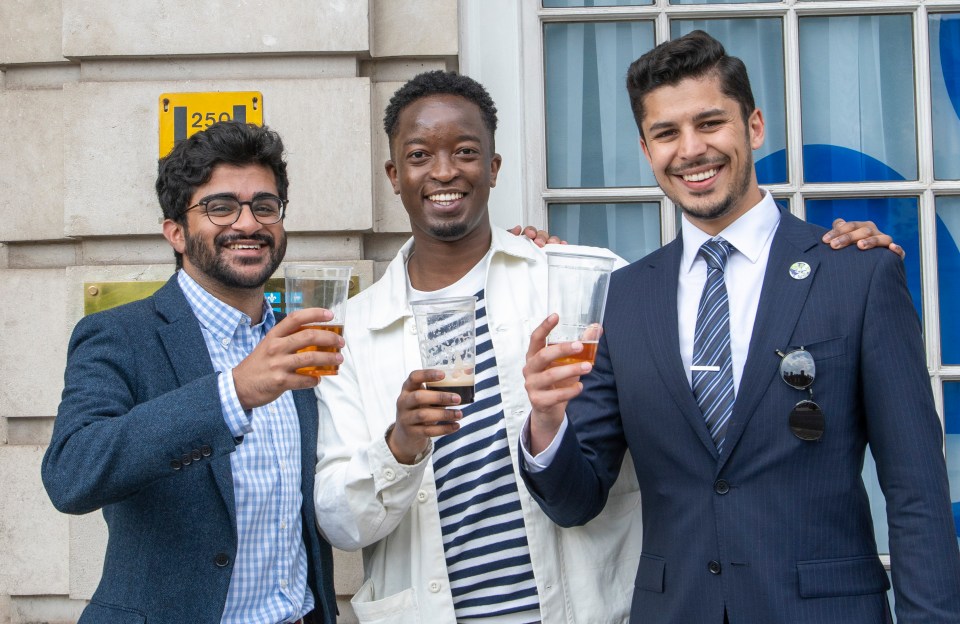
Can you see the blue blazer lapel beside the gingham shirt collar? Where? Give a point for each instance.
(187, 351)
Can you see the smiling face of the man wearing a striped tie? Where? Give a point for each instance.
(701, 151)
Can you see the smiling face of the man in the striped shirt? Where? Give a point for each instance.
(443, 165)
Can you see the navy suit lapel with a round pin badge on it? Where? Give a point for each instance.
(781, 300)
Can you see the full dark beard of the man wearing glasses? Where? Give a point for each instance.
(211, 262)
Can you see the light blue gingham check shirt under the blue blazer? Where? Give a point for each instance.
(269, 581)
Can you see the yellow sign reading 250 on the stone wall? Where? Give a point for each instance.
(183, 114)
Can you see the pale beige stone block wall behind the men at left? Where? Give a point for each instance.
(79, 98)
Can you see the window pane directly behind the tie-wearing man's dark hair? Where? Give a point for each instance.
(759, 44)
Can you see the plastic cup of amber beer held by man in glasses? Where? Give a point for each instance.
(314, 286)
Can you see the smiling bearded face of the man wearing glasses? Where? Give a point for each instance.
(236, 259)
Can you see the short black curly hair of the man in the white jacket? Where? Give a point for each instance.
(439, 82)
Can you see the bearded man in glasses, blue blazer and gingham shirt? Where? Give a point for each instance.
(183, 418)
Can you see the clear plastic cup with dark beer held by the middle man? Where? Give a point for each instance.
(445, 329)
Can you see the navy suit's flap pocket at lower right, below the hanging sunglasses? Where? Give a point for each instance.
(849, 576)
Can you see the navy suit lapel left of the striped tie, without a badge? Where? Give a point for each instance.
(663, 333)
